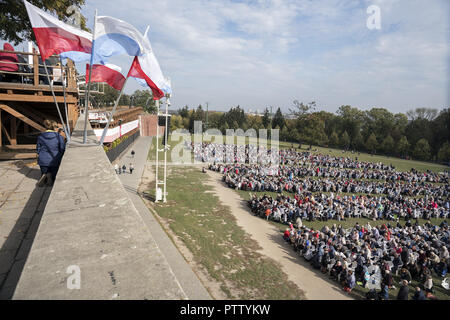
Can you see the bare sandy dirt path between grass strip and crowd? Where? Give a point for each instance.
(315, 285)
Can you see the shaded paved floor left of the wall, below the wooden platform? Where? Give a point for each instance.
(21, 208)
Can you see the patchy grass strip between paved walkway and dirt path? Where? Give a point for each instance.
(217, 243)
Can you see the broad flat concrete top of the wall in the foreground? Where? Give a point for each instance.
(92, 243)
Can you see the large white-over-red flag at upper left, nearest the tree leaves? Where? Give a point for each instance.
(56, 37)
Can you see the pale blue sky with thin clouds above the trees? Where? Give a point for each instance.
(268, 53)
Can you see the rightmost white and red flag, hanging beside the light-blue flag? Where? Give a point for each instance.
(146, 68)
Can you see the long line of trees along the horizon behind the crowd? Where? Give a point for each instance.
(422, 134)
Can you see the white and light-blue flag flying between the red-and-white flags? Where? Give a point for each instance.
(114, 37)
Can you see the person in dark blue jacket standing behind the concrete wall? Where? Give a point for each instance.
(50, 149)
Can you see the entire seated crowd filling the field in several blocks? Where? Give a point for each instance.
(319, 187)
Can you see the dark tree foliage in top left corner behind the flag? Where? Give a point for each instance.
(15, 25)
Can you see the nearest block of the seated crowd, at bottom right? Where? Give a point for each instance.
(370, 256)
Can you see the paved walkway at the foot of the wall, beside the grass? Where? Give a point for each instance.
(188, 280)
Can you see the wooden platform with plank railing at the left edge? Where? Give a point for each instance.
(26, 101)
